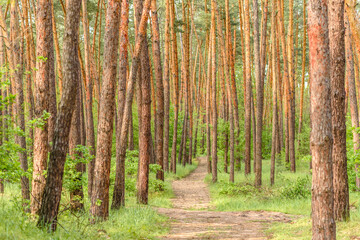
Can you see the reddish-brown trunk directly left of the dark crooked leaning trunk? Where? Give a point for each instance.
(41, 92)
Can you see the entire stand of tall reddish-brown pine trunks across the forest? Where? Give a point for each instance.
(206, 86)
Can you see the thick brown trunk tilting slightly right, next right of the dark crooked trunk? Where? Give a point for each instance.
(101, 181)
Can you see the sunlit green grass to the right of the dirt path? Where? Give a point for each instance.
(287, 196)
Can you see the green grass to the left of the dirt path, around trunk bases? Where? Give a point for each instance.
(132, 222)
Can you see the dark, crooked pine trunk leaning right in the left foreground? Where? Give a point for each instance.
(52, 193)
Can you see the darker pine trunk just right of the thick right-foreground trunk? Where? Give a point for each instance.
(339, 158)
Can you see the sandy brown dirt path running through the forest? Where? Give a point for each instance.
(192, 219)
